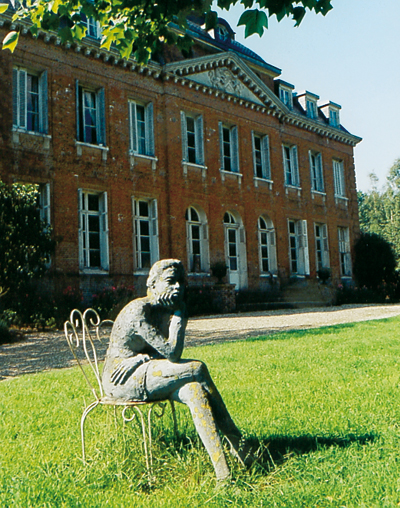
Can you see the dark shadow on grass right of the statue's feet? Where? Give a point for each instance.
(275, 450)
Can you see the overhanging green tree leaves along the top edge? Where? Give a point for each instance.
(141, 27)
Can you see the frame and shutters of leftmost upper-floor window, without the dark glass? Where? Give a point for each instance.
(21, 100)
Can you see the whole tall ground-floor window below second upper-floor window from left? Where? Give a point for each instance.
(93, 230)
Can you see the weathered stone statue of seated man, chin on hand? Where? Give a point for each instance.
(143, 362)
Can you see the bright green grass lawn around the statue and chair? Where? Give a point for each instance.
(322, 405)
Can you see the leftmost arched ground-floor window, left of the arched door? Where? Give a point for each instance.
(197, 240)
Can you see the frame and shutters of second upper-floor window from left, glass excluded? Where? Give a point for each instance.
(99, 123)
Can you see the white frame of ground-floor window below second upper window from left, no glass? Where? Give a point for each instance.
(84, 232)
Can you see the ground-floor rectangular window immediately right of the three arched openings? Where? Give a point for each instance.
(298, 247)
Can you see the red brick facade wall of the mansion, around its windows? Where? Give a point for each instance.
(30, 161)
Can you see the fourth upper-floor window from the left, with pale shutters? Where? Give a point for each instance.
(192, 138)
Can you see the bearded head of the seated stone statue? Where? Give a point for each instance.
(165, 284)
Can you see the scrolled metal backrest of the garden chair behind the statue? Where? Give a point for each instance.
(81, 331)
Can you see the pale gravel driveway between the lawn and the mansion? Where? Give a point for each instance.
(39, 351)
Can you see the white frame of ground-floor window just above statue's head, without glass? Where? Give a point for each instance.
(152, 220)
